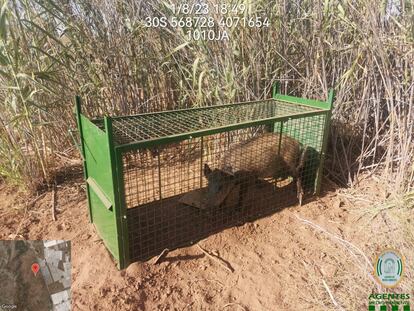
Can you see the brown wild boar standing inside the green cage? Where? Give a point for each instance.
(270, 155)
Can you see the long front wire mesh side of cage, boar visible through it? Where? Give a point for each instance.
(243, 182)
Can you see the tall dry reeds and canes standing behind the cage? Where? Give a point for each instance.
(51, 50)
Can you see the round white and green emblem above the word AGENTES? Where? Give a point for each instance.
(389, 268)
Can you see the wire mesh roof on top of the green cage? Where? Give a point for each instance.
(132, 129)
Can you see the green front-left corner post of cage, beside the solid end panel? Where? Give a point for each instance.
(119, 207)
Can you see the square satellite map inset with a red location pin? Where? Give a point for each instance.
(35, 275)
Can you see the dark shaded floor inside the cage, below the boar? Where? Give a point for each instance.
(170, 224)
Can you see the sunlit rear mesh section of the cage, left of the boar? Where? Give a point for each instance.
(161, 172)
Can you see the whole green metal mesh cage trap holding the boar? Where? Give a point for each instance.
(143, 171)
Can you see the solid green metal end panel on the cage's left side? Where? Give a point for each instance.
(97, 156)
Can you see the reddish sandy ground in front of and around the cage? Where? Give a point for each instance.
(315, 257)
